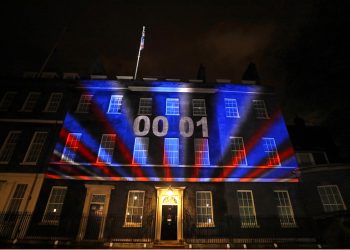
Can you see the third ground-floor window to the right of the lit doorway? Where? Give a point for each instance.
(284, 208)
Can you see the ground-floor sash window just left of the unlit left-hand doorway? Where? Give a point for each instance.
(54, 205)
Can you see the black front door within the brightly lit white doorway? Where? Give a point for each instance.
(169, 222)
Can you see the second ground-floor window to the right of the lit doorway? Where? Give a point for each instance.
(246, 208)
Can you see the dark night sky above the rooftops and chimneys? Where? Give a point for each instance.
(300, 47)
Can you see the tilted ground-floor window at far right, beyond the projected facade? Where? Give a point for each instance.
(331, 198)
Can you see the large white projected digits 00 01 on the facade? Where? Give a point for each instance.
(186, 126)
